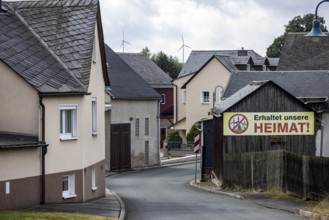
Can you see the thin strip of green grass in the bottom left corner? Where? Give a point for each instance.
(5, 215)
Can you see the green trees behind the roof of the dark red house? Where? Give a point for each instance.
(168, 64)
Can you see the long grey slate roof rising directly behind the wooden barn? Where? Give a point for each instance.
(298, 83)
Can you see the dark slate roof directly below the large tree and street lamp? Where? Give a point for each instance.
(300, 53)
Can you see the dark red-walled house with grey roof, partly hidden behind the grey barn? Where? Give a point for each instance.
(160, 82)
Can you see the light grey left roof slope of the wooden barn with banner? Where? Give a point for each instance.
(239, 95)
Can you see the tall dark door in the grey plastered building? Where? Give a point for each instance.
(120, 147)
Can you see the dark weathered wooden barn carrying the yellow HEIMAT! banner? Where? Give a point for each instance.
(261, 117)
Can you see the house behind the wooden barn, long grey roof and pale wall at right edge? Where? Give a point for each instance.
(314, 93)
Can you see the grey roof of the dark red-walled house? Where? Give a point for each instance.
(147, 69)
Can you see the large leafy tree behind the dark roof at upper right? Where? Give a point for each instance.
(297, 24)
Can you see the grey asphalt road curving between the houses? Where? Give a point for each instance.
(163, 193)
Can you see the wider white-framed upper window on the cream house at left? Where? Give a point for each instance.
(68, 122)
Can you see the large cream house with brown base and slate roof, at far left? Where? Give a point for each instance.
(52, 81)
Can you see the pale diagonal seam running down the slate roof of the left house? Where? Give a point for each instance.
(52, 53)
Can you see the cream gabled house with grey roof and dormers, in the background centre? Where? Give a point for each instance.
(201, 81)
